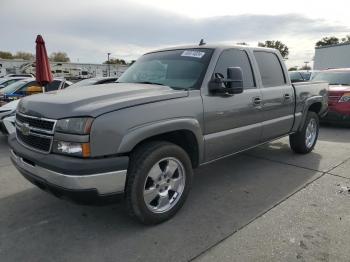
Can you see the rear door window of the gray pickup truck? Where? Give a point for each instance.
(270, 69)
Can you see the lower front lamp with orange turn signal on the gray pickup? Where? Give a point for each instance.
(72, 148)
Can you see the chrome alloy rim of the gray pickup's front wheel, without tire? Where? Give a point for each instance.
(164, 185)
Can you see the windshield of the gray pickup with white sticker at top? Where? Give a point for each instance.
(178, 69)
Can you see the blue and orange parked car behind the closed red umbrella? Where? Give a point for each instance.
(29, 86)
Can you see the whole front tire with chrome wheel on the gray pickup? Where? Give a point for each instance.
(159, 179)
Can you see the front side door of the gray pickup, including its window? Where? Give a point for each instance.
(232, 122)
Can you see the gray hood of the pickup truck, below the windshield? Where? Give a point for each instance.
(95, 100)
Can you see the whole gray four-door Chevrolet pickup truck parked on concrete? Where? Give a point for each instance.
(171, 111)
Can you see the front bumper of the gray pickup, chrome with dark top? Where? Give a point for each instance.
(70, 177)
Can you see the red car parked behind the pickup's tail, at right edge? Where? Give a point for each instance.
(339, 93)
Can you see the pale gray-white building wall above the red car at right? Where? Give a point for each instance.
(333, 56)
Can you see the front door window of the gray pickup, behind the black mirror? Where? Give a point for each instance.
(236, 58)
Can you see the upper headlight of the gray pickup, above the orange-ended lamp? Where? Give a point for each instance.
(79, 126)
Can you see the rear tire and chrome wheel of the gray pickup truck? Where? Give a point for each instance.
(304, 141)
